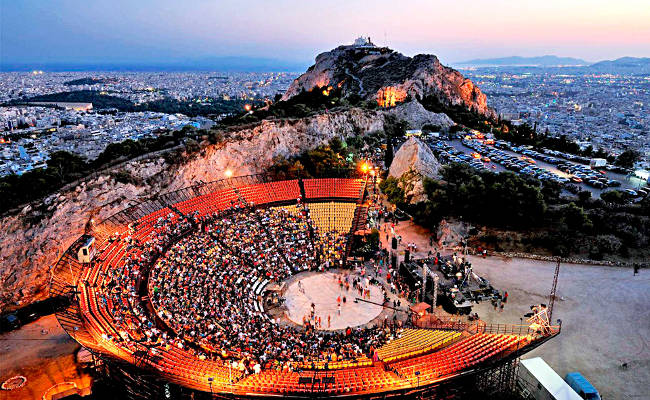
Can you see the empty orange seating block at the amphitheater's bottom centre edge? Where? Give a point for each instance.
(353, 380)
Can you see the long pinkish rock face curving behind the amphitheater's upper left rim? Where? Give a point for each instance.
(30, 246)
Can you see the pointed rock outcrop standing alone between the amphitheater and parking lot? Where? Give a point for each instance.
(414, 161)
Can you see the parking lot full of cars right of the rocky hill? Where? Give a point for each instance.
(502, 156)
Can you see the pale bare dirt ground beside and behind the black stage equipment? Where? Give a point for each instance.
(605, 313)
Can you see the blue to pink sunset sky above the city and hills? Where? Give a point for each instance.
(148, 31)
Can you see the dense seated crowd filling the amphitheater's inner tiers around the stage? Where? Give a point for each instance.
(201, 288)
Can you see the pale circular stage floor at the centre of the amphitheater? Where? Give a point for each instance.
(322, 289)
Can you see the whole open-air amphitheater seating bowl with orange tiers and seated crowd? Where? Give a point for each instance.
(172, 301)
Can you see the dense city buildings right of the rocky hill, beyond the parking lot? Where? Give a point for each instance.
(611, 112)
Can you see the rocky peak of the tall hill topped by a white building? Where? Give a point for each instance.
(381, 74)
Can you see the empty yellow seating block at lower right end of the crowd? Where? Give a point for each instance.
(414, 342)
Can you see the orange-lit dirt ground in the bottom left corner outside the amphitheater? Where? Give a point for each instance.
(44, 354)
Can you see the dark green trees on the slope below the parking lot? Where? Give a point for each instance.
(522, 214)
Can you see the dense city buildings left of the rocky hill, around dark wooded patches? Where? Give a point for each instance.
(32, 131)
